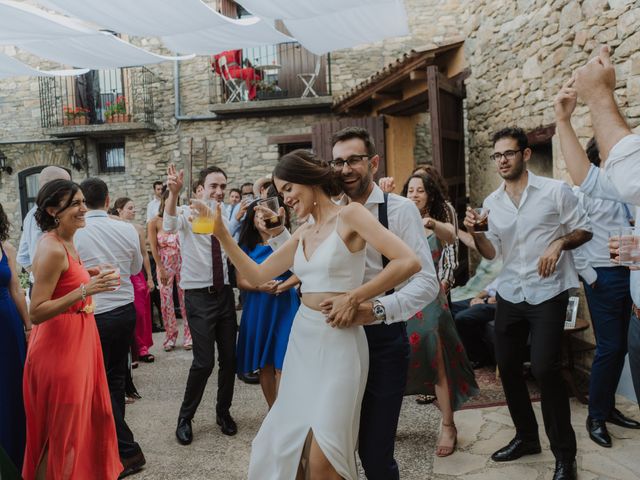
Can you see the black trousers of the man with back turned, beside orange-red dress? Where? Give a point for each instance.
(116, 329)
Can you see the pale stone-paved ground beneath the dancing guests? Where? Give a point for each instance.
(214, 456)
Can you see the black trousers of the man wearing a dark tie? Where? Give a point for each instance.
(212, 321)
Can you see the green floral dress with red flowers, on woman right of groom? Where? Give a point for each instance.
(432, 326)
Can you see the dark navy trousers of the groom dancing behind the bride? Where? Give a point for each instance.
(388, 365)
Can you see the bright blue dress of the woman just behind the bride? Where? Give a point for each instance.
(266, 322)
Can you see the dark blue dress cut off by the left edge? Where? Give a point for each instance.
(13, 350)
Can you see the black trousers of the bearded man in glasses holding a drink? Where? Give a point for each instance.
(545, 323)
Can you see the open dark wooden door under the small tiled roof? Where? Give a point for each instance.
(447, 137)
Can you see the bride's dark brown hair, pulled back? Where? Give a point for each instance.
(304, 168)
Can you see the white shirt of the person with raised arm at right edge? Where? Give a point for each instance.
(619, 181)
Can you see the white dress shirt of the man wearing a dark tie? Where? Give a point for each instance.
(197, 265)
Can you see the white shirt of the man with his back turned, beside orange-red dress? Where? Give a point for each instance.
(116, 242)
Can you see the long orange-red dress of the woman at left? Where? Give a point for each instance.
(66, 396)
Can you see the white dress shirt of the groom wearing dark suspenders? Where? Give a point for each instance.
(422, 288)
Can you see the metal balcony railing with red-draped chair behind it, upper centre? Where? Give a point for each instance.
(282, 71)
